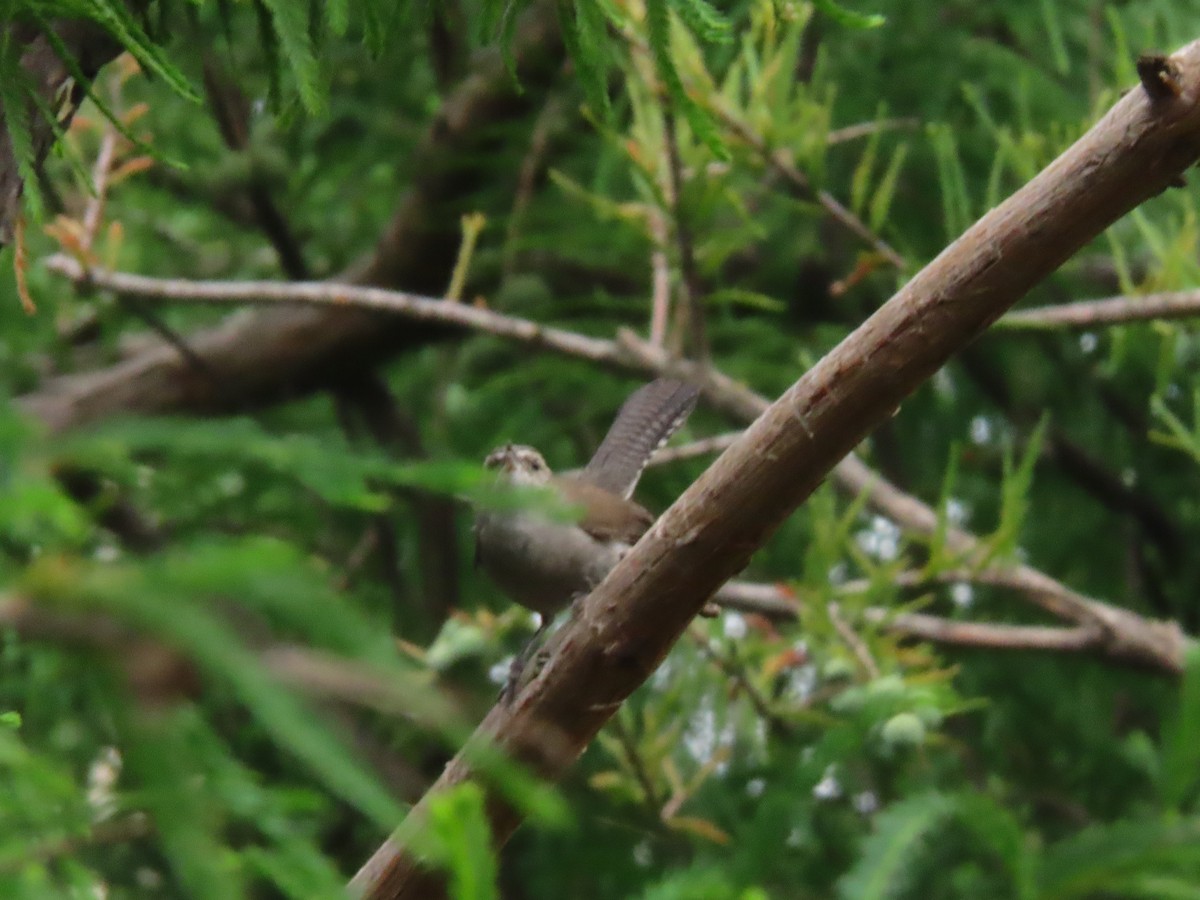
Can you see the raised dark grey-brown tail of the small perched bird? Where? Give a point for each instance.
(646, 421)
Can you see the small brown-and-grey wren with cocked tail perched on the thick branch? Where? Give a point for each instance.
(545, 565)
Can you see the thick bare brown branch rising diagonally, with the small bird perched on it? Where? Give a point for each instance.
(631, 622)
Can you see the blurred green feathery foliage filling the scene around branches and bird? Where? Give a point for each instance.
(152, 742)
